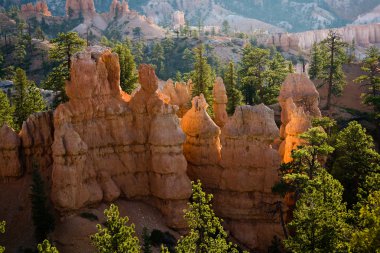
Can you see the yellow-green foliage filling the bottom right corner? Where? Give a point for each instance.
(367, 237)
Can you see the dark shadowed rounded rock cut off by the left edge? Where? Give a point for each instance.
(10, 165)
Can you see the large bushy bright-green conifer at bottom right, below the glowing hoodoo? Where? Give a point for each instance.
(319, 218)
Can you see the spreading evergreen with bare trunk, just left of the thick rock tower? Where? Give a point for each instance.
(64, 47)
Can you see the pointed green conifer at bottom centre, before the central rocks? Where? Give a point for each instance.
(206, 231)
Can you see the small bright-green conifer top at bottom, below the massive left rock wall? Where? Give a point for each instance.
(116, 236)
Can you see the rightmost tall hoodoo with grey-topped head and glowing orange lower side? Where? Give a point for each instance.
(299, 100)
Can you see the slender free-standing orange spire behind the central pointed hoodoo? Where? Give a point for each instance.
(220, 102)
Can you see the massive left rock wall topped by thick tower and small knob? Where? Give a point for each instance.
(105, 147)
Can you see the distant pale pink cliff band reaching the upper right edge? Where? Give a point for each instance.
(364, 36)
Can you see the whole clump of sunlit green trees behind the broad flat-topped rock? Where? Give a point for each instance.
(261, 75)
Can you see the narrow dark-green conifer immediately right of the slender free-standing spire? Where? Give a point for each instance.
(234, 95)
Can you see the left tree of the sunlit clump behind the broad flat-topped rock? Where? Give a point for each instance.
(252, 67)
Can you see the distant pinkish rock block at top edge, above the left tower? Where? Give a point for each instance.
(76, 8)
